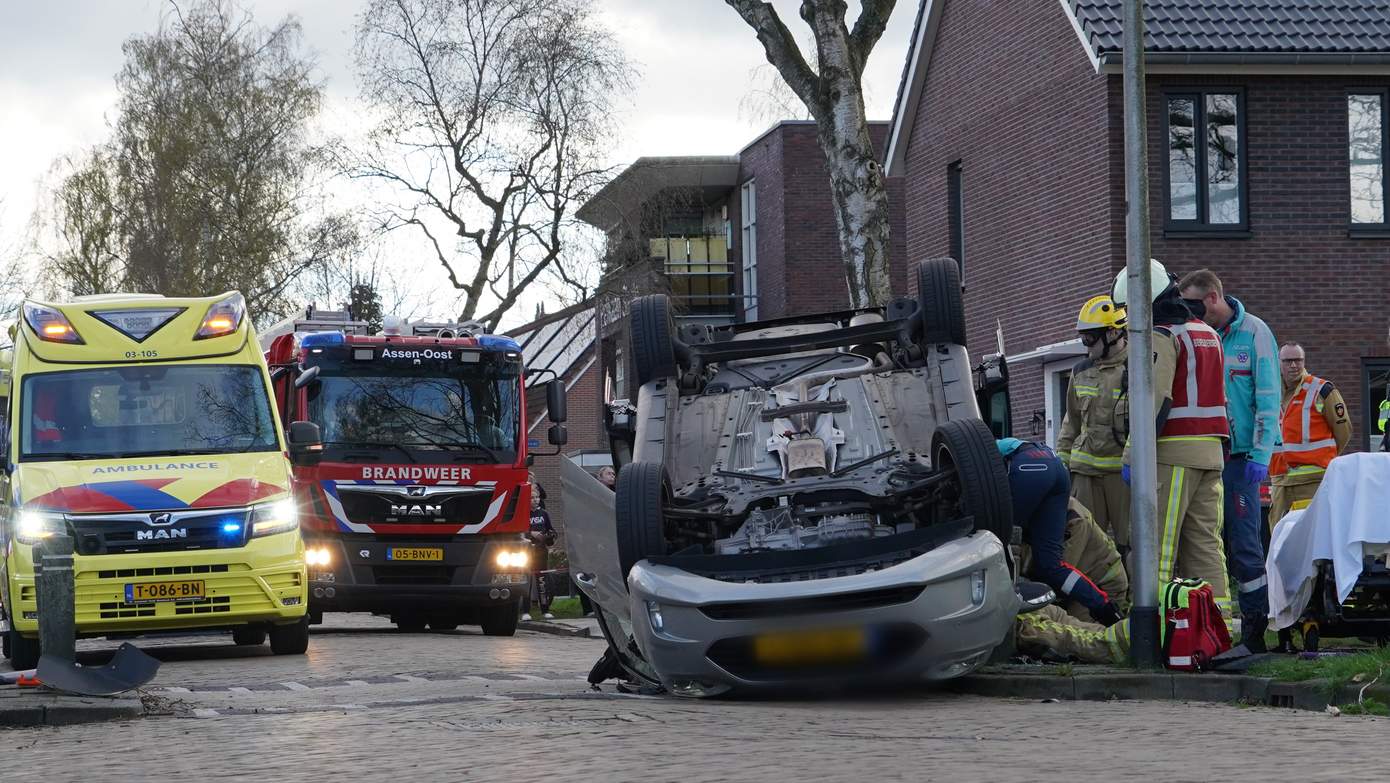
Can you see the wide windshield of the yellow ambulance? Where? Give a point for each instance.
(147, 411)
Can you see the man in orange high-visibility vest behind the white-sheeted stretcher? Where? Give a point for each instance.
(1314, 430)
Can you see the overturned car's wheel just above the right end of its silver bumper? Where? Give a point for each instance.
(982, 486)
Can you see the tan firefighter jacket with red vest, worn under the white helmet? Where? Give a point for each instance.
(1189, 397)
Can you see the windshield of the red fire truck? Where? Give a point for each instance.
(432, 412)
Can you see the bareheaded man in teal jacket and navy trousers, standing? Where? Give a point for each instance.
(1253, 394)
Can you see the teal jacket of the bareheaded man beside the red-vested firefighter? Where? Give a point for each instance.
(1253, 386)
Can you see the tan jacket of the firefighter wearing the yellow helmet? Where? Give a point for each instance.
(1096, 425)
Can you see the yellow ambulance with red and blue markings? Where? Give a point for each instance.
(145, 429)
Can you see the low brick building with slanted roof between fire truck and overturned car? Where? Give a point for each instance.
(565, 344)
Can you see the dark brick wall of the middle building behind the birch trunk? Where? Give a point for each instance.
(800, 264)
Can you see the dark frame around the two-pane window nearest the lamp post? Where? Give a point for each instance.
(1202, 227)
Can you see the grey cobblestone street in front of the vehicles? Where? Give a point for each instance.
(369, 703)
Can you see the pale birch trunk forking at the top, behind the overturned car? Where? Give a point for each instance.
(833, 91)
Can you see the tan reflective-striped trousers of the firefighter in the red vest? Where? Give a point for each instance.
(1191, 531)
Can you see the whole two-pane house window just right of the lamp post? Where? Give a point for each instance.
(1206, 162)
